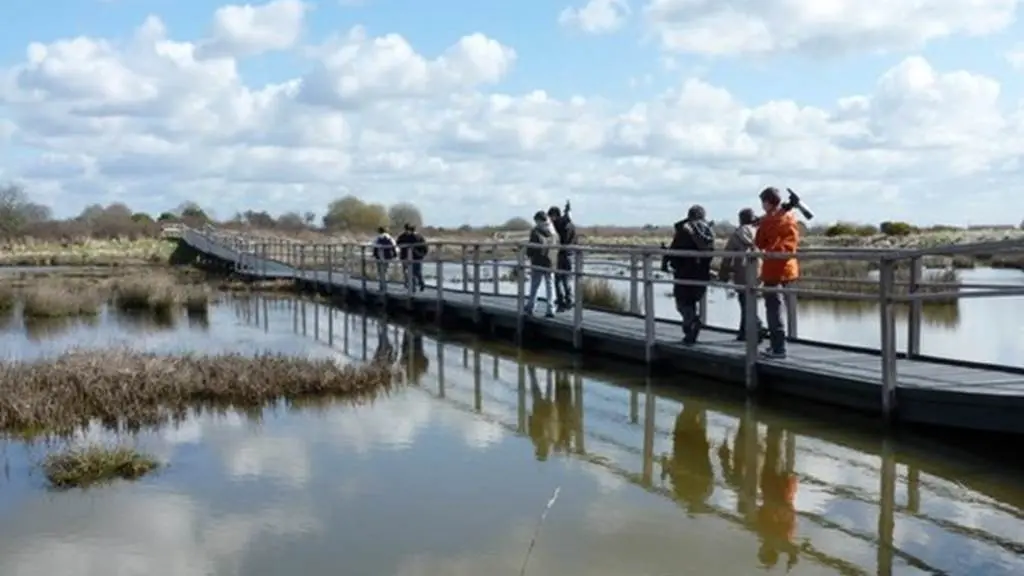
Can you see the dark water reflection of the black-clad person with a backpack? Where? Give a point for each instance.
(691, 469)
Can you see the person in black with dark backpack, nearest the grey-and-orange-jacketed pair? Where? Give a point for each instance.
(694, 234)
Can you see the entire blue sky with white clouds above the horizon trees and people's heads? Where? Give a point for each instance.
(479, 112)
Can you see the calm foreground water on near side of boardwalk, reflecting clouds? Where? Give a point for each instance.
(449, 476)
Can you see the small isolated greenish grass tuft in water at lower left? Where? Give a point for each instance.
(94, 465)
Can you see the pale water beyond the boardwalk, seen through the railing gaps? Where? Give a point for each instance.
(977, 330)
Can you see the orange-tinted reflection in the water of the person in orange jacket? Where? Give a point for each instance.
(777, 517)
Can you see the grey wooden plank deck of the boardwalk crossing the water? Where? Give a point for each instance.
(932, 392)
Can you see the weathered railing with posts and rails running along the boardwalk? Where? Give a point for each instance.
(641, 266)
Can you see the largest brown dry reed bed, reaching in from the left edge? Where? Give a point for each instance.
(132, 390)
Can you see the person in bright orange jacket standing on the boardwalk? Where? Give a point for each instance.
(778, 233)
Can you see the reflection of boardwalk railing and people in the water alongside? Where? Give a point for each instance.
(810, 496)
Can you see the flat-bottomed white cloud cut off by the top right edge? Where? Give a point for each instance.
(734, 27)
